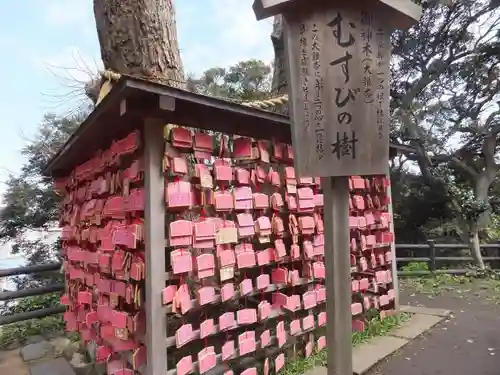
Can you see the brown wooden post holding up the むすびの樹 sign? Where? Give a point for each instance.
(338, 275)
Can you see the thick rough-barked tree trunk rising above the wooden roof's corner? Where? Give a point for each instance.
(139, 38)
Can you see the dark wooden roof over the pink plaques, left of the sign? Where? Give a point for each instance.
(132, 100)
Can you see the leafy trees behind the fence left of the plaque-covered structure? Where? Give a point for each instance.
(30, 205)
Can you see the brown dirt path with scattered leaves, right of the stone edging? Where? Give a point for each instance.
(467, 343)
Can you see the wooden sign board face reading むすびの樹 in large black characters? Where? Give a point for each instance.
(339, 82)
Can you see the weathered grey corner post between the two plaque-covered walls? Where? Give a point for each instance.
(154, 216)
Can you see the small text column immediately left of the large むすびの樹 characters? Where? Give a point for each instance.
(318, 91)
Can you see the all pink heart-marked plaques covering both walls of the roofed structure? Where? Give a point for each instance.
(245, 254)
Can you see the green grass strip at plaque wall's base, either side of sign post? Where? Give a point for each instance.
(375, 328)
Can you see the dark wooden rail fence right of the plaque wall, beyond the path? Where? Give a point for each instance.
(439, 257)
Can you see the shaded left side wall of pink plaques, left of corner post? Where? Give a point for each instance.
(103, 247)
